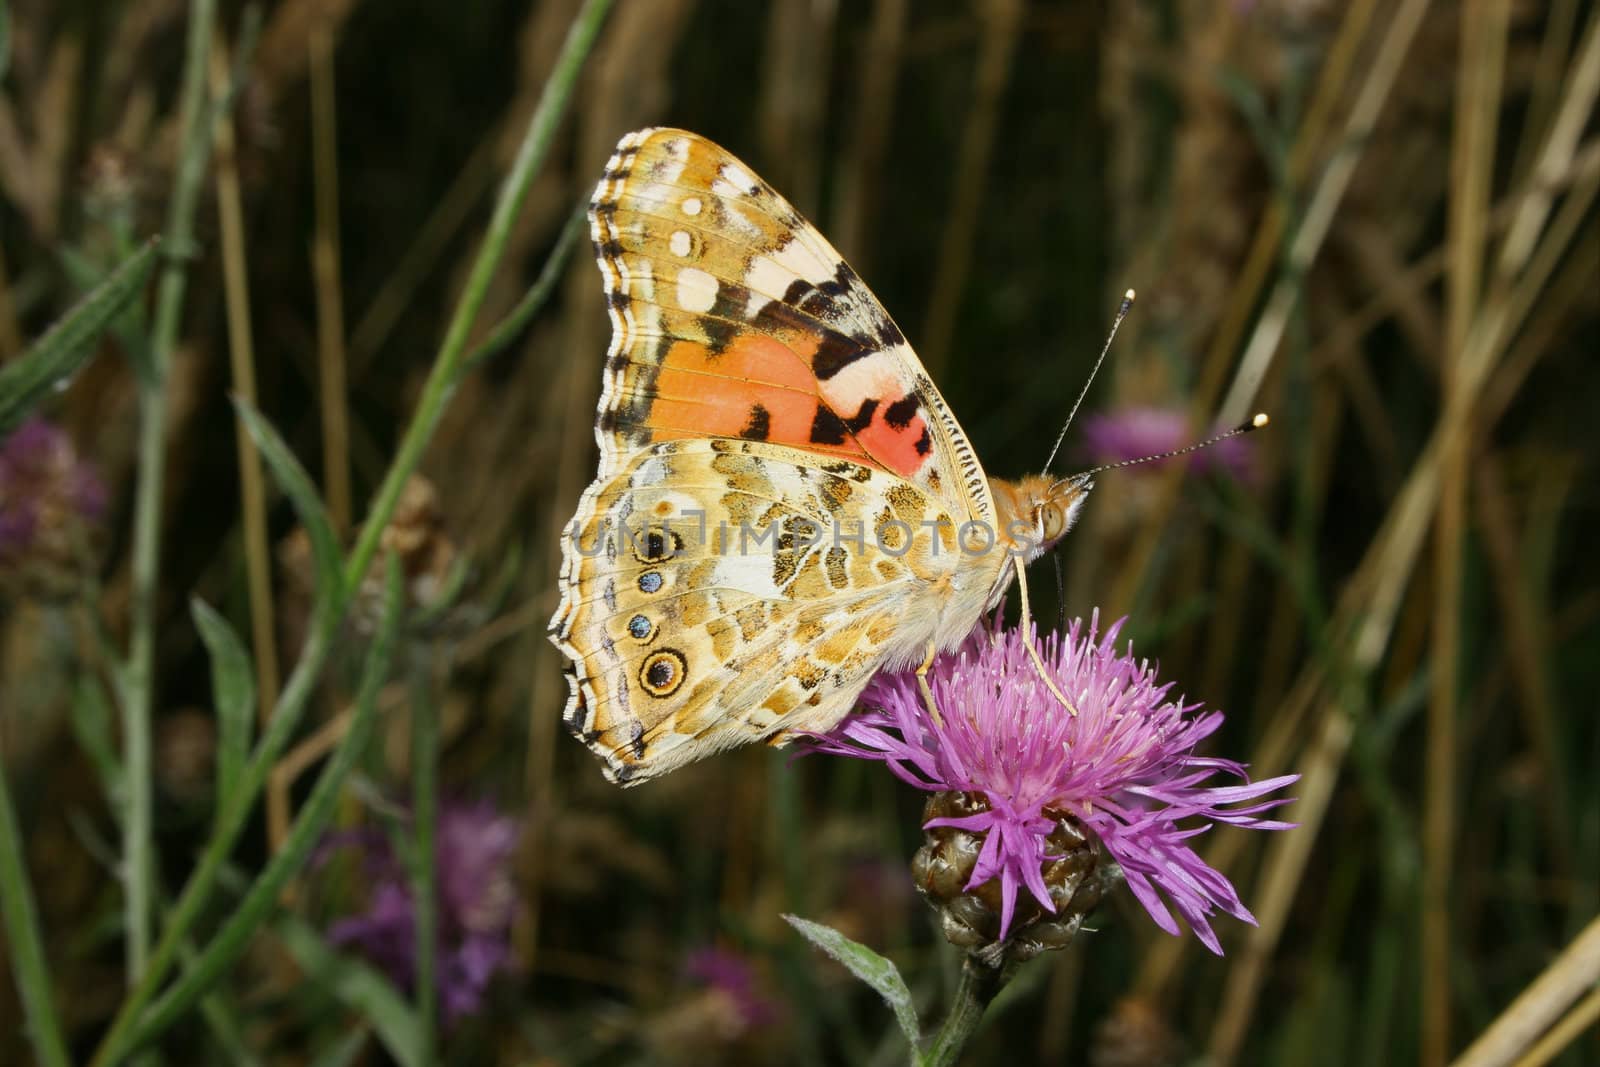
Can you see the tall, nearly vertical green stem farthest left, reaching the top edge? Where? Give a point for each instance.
(140, 677)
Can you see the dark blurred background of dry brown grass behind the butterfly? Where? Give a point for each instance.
(999, 174)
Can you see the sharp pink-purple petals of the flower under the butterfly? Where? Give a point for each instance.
(1124, 767)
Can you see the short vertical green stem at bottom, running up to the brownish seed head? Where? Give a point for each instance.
(425, 861)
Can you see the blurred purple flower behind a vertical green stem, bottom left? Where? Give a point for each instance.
(476, 900)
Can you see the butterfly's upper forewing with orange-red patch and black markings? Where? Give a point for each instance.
(734, 318)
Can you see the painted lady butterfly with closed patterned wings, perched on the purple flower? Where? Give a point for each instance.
(785, 503)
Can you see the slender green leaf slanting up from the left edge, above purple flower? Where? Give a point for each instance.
(70, 345)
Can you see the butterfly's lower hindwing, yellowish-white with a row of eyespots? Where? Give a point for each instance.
(722, 593)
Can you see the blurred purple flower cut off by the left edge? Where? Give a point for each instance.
(46, 490)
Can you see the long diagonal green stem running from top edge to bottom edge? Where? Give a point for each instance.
(326, 625)
